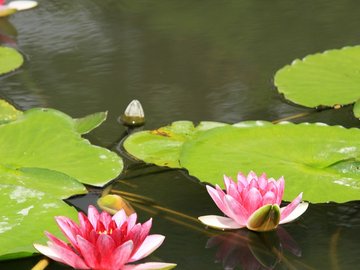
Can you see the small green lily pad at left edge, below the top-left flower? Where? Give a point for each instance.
(10, 59)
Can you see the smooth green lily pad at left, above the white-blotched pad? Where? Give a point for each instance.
(48, 139)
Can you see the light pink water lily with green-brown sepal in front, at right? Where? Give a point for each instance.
(252, 202)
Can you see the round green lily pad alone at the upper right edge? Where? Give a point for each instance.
(324, 79)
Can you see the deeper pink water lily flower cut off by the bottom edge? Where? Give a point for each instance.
(104, 242)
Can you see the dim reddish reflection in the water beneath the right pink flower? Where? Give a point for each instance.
(251, 250)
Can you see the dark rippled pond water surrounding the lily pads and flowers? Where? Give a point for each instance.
(187, 60)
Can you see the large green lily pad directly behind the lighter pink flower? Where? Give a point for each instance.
(319, 160)
